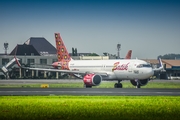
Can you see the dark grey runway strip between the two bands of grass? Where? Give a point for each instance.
(90, 91)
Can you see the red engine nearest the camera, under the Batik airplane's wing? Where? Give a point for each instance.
(92, 79)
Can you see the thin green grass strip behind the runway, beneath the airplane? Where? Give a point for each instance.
(79, 84)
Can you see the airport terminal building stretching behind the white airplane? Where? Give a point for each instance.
(38, 52)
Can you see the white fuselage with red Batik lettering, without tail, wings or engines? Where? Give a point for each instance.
(114, 69)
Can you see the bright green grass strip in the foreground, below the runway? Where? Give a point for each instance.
(89, 108)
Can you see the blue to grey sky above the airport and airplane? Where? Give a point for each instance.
(148, 27)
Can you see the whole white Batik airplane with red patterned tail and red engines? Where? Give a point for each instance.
(94, 71)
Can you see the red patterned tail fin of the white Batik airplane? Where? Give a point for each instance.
(62, 52)
